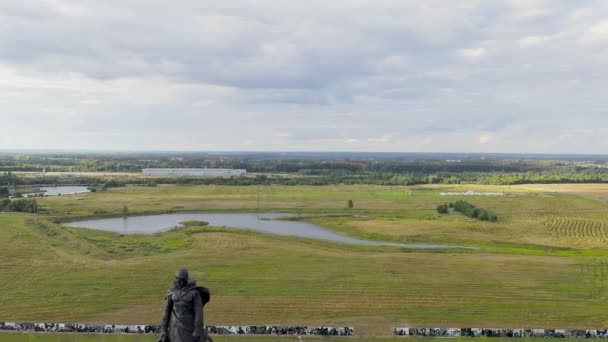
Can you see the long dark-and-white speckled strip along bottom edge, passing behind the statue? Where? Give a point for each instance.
(154, 329)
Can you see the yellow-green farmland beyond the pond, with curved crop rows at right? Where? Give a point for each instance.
(400, 214)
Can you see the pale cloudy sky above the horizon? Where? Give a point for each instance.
(339, 75)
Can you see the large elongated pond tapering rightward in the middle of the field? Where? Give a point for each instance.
(266, 223)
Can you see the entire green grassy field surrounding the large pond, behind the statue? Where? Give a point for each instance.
(541, 265)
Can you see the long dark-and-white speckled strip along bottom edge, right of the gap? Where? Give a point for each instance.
(512, 333)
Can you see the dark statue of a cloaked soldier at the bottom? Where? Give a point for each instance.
(183, 312)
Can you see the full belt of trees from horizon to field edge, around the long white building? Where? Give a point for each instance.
(301, 171)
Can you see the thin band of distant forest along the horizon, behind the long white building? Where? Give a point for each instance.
(135, 162)
